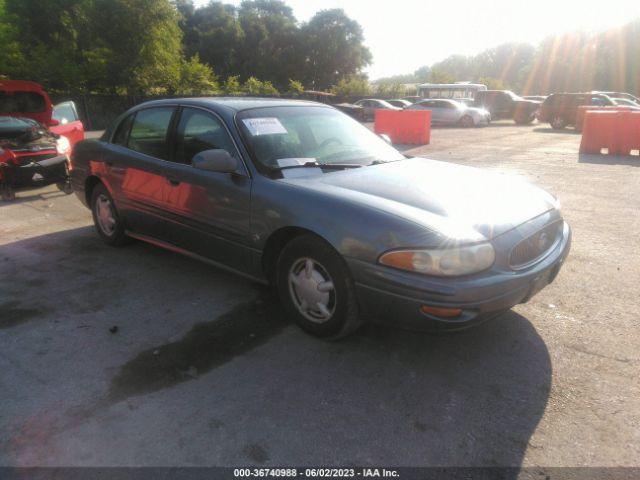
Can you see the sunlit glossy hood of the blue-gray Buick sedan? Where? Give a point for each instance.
(459, 202)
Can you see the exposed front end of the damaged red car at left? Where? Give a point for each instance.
(31, 156)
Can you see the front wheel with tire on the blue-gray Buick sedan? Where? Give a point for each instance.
(298, 283)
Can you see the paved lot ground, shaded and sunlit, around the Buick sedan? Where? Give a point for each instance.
(202, 369)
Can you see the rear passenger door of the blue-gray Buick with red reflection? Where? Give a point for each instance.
(134, 168)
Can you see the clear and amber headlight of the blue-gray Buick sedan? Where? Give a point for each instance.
(445, 262)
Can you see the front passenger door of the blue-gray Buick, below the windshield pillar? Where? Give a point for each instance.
(209, 211)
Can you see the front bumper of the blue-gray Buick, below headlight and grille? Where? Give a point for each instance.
(394, 297)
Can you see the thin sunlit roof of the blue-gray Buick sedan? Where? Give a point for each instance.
(233, 104)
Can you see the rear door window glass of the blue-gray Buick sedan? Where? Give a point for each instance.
(149, 132)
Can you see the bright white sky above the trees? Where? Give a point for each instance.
(404, 35)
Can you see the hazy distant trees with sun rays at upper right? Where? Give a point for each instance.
(608, 61)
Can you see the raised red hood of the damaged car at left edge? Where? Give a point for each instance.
(26, 100)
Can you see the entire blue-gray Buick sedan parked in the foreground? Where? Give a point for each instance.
(299, 195)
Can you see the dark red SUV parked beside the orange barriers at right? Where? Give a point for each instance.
(561, 109)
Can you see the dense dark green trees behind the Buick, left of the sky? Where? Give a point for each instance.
(164, 47)
